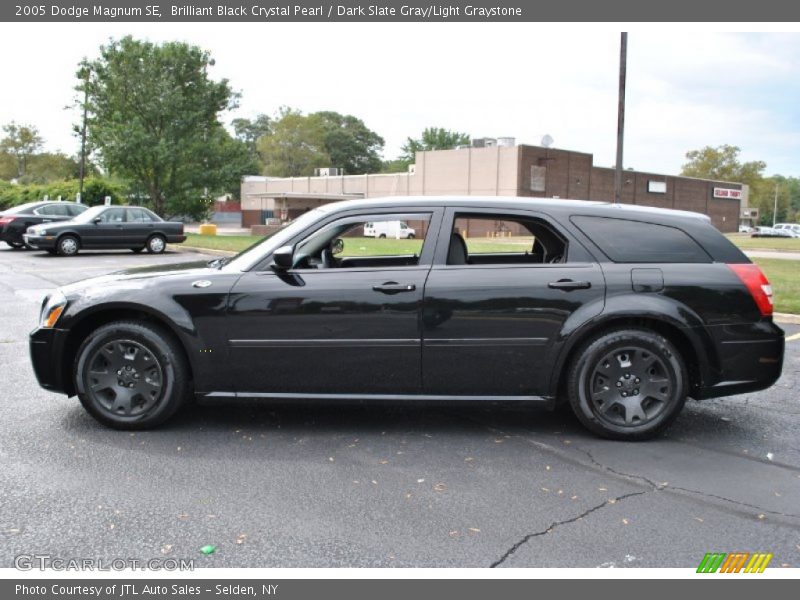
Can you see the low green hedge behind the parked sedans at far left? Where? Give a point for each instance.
(94, 192)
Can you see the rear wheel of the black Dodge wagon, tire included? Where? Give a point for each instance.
(627, 384)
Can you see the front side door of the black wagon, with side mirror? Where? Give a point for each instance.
(349, 328)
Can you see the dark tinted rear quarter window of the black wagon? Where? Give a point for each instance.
(627, 241)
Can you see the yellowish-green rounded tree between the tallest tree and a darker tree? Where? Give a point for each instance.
(295, 147)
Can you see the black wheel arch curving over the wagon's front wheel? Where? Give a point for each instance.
(91, 320)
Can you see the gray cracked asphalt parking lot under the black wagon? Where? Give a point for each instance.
(280, 485)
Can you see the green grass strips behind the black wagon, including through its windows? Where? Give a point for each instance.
(782, 274)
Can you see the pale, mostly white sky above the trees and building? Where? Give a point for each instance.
(687, 88)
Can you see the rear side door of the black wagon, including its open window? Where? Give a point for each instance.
(491, 319)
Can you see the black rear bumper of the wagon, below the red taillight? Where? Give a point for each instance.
(750, 361)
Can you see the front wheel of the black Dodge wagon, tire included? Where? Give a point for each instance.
(128, 355)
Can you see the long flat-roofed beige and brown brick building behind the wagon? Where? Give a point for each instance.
(496, 170)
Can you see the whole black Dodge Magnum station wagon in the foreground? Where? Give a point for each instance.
(621, 311)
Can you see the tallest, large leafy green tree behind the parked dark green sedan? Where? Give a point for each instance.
(153, 117)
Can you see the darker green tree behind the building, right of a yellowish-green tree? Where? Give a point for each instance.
(349, 143)
